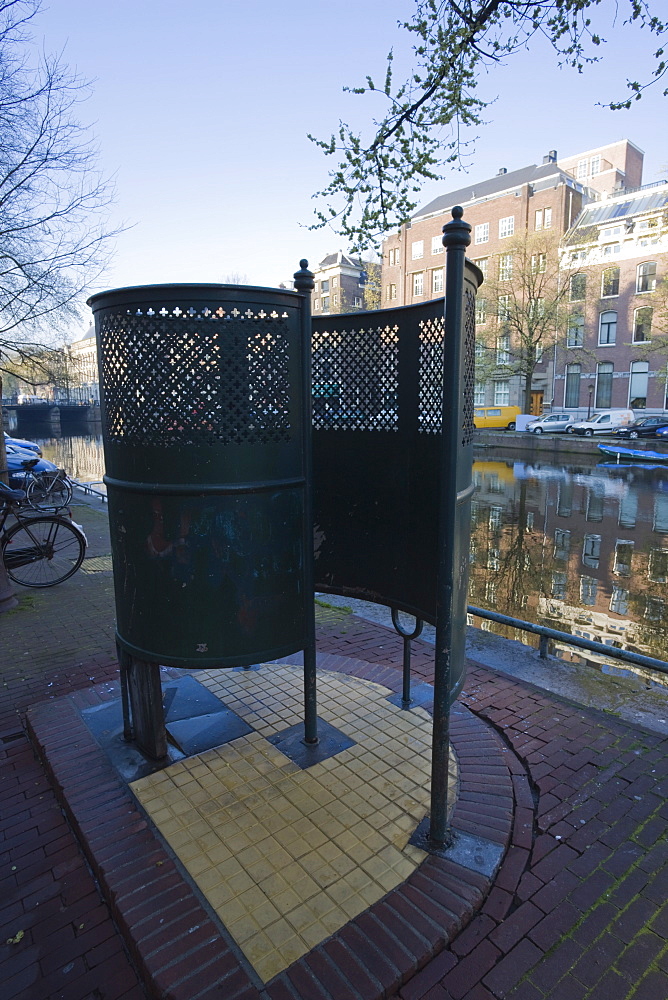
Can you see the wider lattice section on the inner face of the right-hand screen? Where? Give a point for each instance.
(355, 378)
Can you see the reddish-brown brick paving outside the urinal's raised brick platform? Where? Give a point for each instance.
(577, 910)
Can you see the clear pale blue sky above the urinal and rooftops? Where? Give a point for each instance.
(201, 111)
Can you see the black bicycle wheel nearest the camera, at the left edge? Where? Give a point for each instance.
(42, 551)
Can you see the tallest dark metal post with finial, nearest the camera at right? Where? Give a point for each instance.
(456, 238)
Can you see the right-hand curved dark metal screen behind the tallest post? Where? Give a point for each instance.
(377, 398)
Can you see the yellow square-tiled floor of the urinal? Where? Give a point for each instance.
(287, 856)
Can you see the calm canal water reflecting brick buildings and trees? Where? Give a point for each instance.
(580, 546)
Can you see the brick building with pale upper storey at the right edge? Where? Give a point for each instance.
(614, 354)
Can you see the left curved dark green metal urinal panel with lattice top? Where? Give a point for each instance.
(206, 426)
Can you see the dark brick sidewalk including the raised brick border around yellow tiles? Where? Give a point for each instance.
(576, 910)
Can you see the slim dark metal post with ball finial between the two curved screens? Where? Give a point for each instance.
(305, 284)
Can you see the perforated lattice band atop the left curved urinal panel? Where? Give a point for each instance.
(197, 376)
